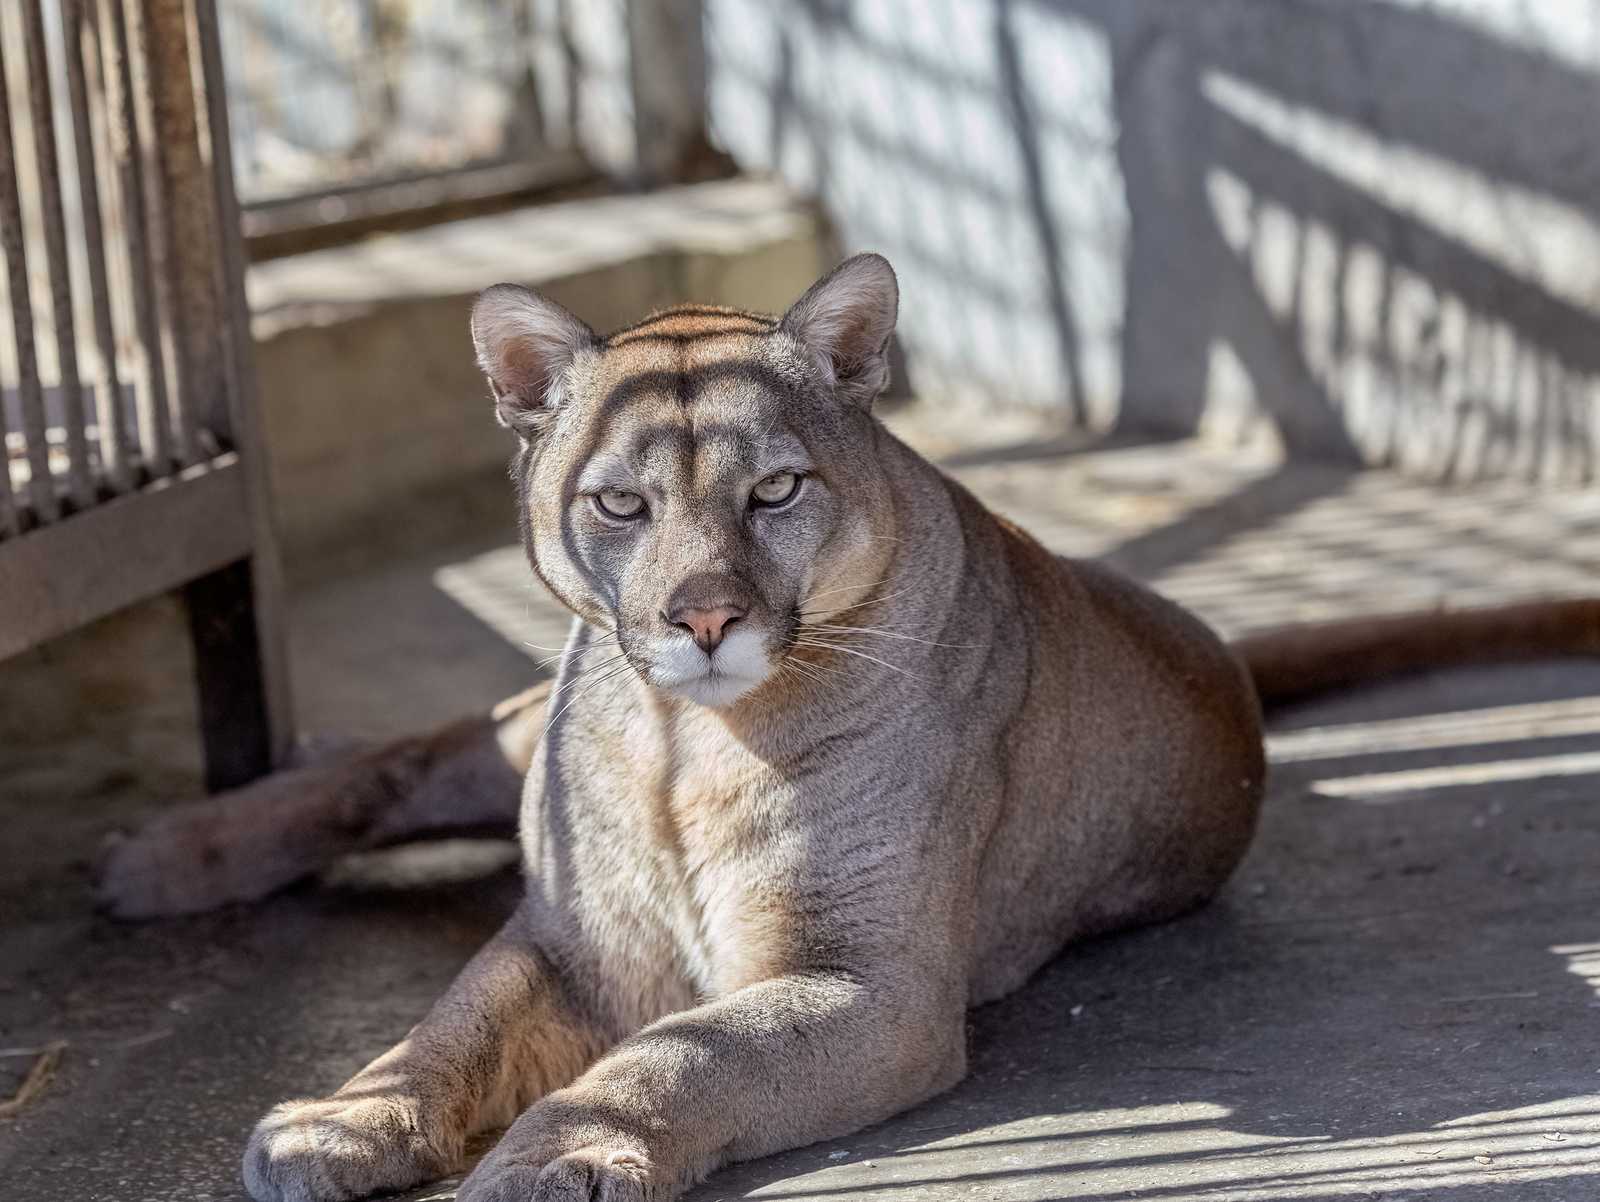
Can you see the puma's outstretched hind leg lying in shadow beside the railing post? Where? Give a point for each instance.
(266, 835)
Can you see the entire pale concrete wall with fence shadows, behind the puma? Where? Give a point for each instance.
(1377, 220)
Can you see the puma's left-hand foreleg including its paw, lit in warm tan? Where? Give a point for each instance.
(503, 1036)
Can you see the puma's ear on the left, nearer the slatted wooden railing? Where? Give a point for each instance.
(524, 343)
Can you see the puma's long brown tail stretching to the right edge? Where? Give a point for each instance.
(1295, 662)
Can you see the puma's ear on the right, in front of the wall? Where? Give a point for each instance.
(846, 323)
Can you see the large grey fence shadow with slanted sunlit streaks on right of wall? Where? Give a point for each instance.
(1391, 218)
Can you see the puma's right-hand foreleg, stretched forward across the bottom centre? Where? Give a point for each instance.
(774, 1067)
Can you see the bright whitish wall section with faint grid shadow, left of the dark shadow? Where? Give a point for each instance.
(972, 143)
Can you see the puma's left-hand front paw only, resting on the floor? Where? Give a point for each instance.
(338, 1150)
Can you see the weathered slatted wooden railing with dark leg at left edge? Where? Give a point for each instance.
(130, 465)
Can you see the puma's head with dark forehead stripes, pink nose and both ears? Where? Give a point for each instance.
(706, 481)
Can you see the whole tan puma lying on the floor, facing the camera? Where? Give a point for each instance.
(833, 756)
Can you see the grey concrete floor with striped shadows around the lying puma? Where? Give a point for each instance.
(1399, 995)
